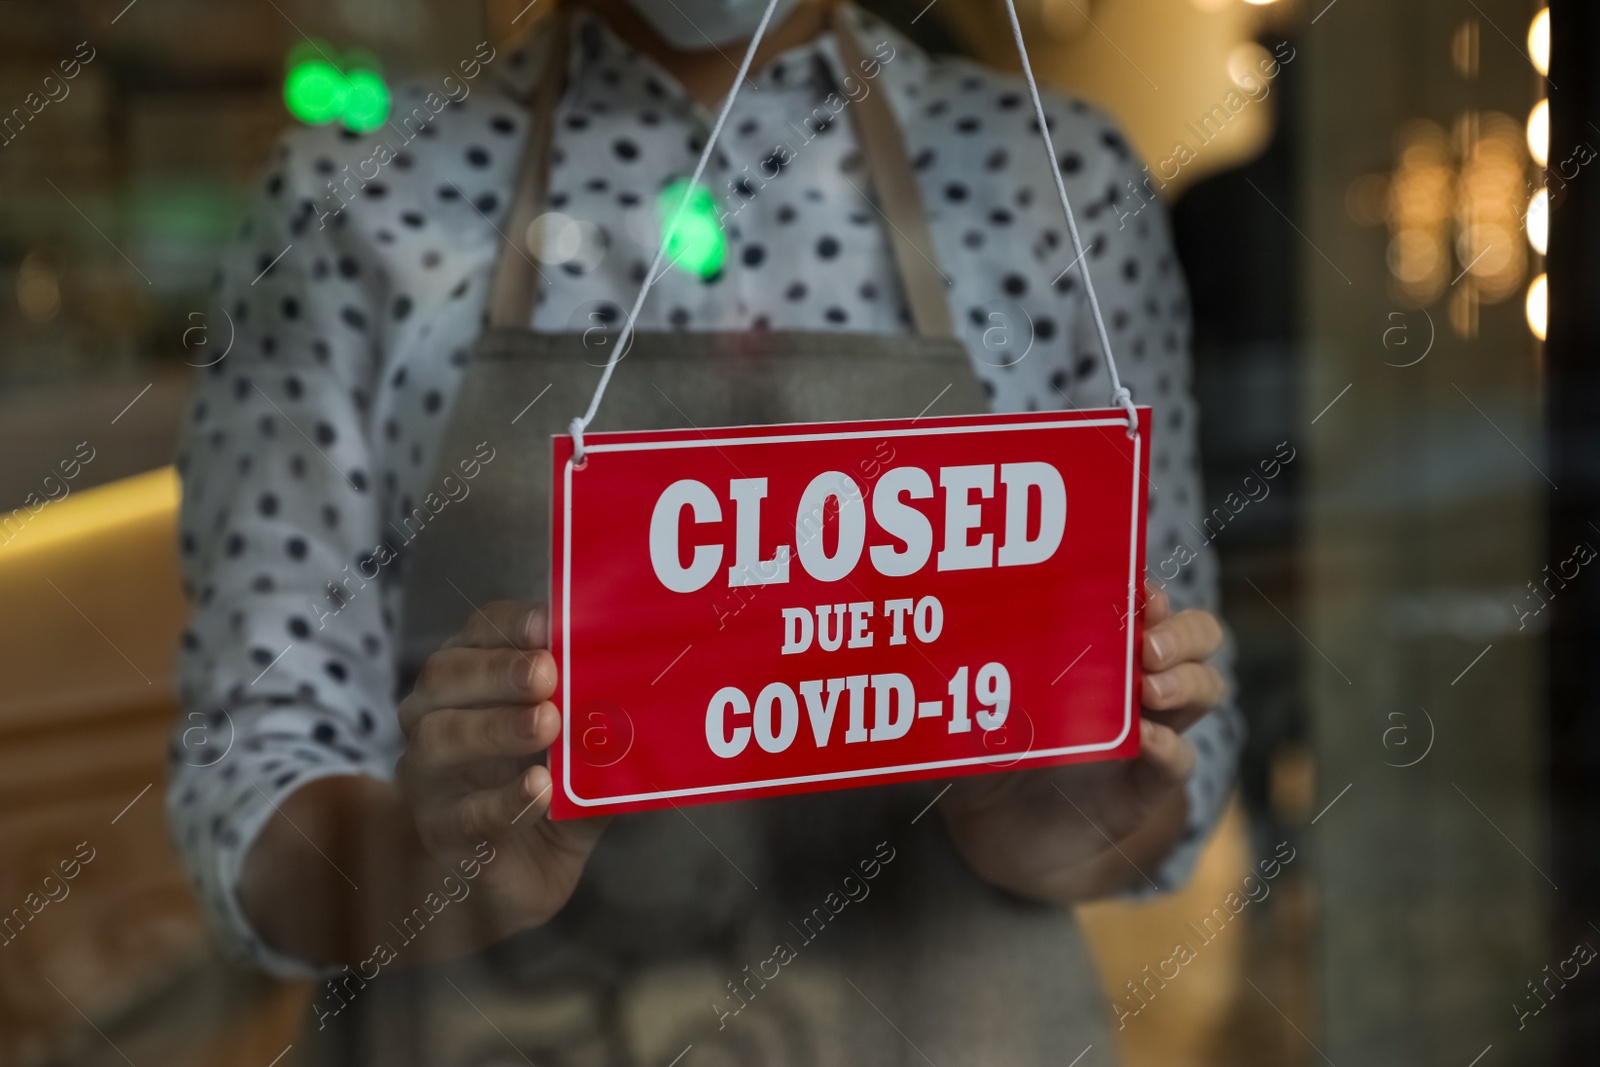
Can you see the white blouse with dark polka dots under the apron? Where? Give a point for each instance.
(358, 286)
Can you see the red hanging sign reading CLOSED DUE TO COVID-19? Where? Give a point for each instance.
(788, 609)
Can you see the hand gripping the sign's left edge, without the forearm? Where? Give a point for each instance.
(478, 725)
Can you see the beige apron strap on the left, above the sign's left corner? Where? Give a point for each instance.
(514, 286)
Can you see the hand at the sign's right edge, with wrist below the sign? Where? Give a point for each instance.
(1084, 831)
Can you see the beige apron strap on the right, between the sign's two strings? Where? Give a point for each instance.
(884, 151)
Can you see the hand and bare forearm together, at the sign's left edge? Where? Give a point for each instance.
(346, 857)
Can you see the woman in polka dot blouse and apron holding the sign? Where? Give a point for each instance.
(350, 473)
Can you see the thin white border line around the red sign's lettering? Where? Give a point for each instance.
(836, 777)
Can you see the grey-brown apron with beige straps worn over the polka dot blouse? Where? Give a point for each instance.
(740, 933)
